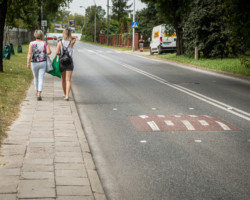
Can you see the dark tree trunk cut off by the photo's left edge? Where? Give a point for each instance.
(3, 10)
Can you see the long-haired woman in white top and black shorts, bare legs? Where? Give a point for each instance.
(66, 70)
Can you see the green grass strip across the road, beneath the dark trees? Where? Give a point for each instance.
(231, 65)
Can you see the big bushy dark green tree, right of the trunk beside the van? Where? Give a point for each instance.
(205, 28)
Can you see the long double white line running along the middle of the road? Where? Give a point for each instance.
(218, 104)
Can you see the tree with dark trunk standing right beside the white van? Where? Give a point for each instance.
(172, 11)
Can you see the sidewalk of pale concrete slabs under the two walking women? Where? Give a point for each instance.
(46, 154)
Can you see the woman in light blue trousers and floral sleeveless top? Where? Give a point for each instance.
(37, 57)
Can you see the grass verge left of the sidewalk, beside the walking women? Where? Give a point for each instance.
(14, 82)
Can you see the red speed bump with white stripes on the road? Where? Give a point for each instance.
(164, 123)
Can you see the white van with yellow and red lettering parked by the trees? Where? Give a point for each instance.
(161, 41)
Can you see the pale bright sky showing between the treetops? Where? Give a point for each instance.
(75, 5)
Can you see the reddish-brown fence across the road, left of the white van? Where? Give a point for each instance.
(118, 41)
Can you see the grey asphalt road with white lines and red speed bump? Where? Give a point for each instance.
(160, 131)
